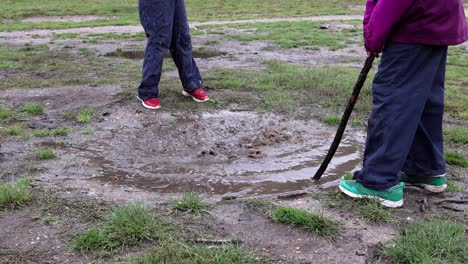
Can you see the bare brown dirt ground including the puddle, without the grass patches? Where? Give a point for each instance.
(248, 156)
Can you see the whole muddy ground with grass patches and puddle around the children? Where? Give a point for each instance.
(216, 176)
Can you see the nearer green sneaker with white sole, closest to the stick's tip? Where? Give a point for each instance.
(392, 197)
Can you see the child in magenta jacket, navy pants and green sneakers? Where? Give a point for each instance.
(404, 138)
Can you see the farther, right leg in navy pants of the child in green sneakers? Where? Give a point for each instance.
(426, 157)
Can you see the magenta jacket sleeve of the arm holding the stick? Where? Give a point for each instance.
(380, 18)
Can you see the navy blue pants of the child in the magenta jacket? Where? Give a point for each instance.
(405, 127)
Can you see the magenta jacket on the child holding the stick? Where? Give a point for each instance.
(426, 22)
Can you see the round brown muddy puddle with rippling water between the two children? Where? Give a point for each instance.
(224, 153)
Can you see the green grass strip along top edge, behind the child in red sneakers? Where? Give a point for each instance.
(124, 12)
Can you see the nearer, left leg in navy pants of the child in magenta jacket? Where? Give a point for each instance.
(401, 89)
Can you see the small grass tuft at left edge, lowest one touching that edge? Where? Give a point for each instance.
(16, 193)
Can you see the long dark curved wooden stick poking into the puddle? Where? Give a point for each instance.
(344, 120)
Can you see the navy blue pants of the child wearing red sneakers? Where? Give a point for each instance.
(166, 26)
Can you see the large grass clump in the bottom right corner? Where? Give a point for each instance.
(436, 241)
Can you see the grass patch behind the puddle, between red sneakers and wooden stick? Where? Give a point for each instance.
(282, 86)
